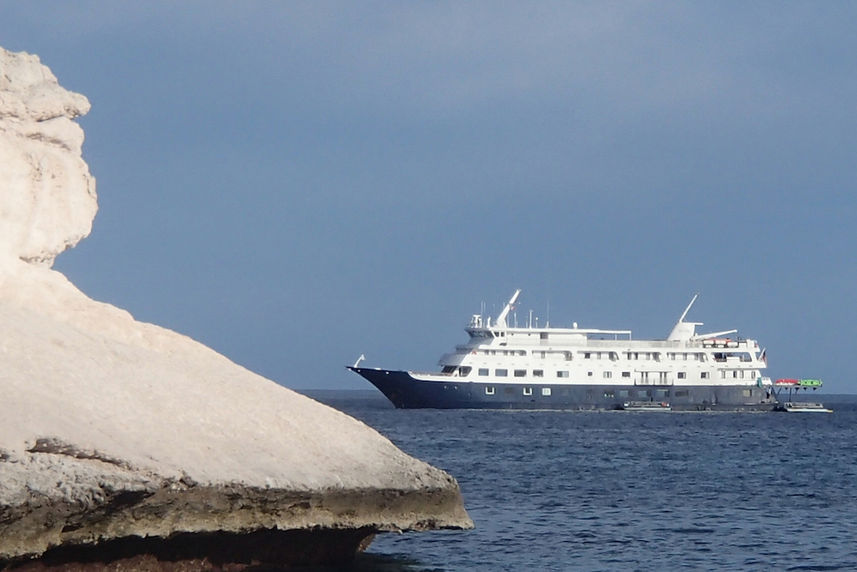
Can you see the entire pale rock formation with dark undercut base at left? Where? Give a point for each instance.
(126, 444)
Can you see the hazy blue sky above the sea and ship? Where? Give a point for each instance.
(295, 184)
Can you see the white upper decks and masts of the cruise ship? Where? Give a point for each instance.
(499, 354)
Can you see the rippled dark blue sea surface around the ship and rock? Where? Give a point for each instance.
(629, 490)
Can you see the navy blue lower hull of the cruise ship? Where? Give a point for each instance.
(406, 391)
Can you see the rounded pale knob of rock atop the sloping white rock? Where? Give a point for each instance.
(48, 194)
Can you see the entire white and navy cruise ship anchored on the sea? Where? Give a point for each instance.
(508, 367)
